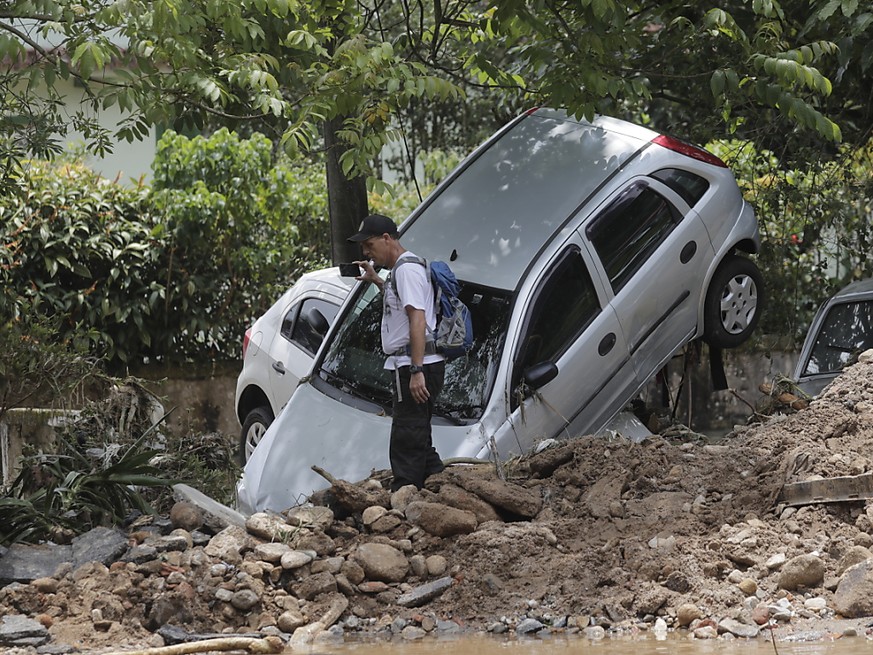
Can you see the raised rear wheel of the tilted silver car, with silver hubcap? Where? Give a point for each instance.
(733, 304)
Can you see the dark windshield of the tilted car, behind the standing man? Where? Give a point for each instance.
(354, 361)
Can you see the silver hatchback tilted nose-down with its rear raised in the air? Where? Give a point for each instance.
(589, 253)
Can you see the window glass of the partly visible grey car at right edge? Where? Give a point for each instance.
(846, 332)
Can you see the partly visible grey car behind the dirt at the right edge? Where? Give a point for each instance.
(840, 331)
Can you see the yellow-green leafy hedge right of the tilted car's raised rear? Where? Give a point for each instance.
(815, 223)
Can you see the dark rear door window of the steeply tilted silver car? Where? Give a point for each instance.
(629, 230)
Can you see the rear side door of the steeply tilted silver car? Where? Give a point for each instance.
(653, 252)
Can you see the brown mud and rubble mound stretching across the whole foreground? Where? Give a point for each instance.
(674, 532)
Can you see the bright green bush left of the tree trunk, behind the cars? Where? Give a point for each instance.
(239, 225)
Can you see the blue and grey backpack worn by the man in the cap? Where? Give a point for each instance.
(454, 333)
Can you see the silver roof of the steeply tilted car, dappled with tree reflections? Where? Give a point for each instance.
(505, 203)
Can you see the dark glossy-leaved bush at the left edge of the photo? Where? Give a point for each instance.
(82, 250)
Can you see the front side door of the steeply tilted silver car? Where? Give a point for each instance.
(567, 325)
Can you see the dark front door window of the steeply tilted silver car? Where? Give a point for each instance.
(565, 305)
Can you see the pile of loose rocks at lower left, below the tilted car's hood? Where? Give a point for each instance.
(292, 574)
